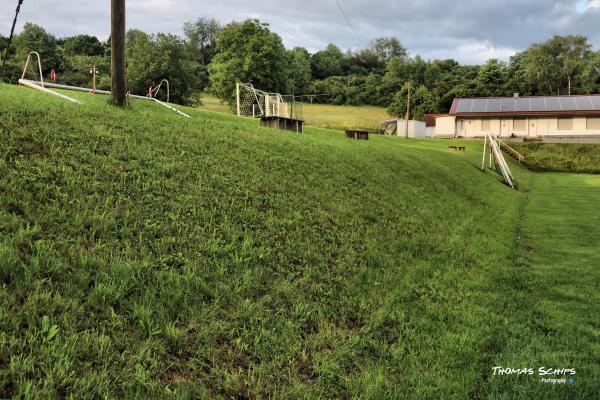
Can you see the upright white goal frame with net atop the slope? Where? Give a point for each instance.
(252, 102)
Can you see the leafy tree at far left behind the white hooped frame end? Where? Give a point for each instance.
(35, 38)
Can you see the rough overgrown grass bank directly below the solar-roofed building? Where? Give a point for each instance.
(561, 157)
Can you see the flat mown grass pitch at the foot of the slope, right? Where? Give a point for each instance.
(558, 272)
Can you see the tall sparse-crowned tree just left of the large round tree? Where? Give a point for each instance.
(202, 36)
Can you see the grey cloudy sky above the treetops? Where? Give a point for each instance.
(470, 31)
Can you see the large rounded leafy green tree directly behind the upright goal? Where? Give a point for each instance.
(248, 52)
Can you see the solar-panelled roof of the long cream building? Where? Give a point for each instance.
(528, 104)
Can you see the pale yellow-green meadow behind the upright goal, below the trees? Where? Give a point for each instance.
(324, 116)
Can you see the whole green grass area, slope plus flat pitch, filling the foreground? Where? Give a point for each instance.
(145, 255)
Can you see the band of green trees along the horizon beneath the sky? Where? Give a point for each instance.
(210, 57)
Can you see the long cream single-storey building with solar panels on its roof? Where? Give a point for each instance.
(520, 117)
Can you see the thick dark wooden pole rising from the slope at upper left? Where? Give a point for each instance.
(117, 36)
